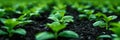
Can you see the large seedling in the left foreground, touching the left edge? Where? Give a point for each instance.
(9, 26)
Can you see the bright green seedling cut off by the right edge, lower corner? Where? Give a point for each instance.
(115, 28)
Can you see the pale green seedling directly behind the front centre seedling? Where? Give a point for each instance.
(59, 17)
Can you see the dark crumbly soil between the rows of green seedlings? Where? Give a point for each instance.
(83, 27)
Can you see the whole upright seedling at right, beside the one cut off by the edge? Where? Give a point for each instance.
(106, 19)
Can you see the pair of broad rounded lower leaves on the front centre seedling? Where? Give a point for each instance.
(48, 35)
